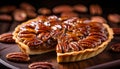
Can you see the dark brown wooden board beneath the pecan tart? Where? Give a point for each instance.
(106, 56)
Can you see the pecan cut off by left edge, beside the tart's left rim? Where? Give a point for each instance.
(7, 38)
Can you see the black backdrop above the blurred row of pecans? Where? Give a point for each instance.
(113, 5)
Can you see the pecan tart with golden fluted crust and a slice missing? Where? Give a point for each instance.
(73, 38)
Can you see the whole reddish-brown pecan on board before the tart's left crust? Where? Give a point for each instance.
(17, 57)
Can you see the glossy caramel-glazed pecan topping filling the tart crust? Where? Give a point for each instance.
(71, 34)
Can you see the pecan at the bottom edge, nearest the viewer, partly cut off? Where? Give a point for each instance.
(40, 65)
